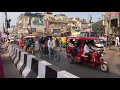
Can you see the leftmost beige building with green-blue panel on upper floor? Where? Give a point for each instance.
(30, 22)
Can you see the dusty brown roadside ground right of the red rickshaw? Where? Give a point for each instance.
(112, 56)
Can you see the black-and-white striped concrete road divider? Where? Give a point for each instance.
(34, 67)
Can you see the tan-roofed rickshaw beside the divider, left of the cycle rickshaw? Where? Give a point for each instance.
(30, 49)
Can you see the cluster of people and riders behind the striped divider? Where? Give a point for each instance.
(45, 43)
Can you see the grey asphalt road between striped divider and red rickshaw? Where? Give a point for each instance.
(82, 70)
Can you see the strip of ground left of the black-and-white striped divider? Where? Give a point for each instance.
(10, 71)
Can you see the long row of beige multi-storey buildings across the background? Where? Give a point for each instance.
(48, 23)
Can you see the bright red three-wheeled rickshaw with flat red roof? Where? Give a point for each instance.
(78, 55)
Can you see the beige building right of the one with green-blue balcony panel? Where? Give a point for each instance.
(57, 24)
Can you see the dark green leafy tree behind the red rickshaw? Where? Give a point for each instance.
(98, 27)
